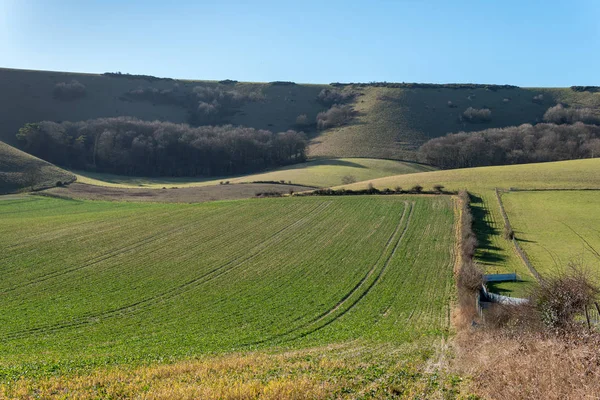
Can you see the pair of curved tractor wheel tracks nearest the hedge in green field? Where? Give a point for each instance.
(310, 327)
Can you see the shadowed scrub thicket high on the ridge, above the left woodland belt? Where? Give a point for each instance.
(205, 105)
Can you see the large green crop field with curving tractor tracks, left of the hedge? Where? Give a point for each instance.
(89, 283)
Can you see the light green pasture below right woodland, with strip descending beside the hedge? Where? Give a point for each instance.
(494, 252)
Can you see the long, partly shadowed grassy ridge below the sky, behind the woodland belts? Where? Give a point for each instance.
(391, 122)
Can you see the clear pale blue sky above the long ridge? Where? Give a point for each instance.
(525, 42)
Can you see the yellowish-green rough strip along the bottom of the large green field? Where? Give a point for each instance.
(347, 371)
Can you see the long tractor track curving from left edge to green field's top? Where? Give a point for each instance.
(173, 292)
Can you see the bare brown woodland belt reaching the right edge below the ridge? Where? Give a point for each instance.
(513, 145)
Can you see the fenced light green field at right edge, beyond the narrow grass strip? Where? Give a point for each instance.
(555, 228)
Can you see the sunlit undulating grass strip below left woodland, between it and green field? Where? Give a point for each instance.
(318, 173)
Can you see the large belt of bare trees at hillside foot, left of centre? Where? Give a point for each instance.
(130, 146)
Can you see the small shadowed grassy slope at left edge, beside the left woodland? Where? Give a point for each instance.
(13, 164)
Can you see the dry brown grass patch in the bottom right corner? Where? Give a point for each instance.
(530, 365)
